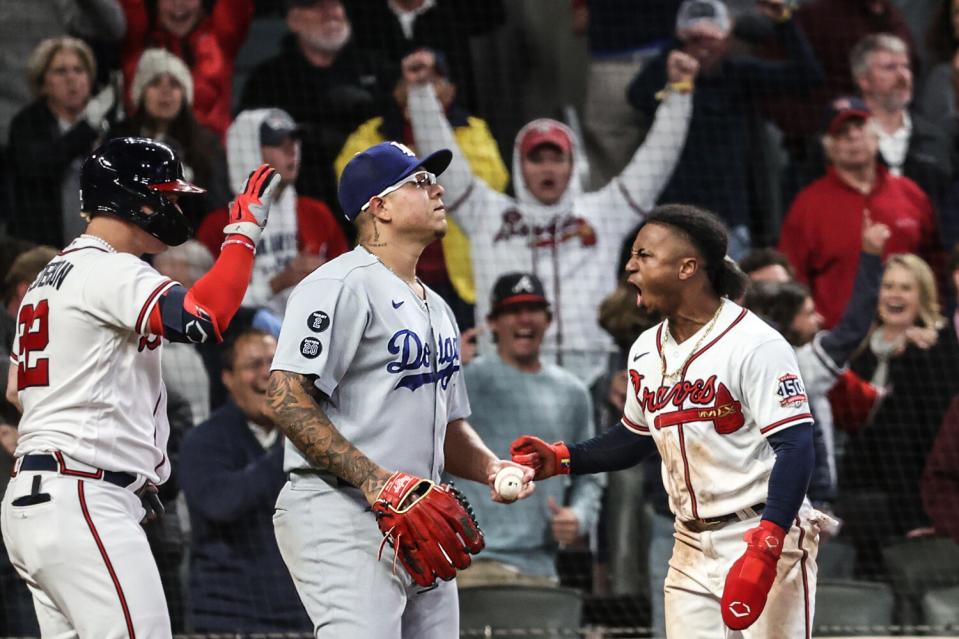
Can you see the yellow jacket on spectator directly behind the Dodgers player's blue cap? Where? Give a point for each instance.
(482, 154)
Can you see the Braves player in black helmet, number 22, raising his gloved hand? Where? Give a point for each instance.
(86, 369)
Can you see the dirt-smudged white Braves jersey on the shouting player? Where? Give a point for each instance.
(710, 421)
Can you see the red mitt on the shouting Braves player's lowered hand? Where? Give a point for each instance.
(753, 574)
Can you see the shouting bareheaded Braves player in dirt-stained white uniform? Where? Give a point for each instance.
(718, 392)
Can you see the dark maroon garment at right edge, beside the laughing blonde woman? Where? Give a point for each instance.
(940, 481)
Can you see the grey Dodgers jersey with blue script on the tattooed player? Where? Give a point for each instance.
(387, 361)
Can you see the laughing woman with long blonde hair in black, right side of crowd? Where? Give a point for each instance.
(911, 357)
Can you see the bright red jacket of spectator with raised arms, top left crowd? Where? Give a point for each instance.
(209, 50)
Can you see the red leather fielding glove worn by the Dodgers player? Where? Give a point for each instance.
(431, 527)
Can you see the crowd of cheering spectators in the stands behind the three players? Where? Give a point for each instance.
(824, 128)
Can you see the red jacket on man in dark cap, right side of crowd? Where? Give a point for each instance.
(822, 233)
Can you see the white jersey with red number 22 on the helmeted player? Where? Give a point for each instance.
(88, 370)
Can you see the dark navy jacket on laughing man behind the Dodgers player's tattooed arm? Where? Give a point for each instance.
(238, 581)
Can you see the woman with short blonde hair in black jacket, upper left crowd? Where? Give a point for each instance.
(49, 139)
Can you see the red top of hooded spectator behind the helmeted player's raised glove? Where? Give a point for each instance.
(316, 229)
